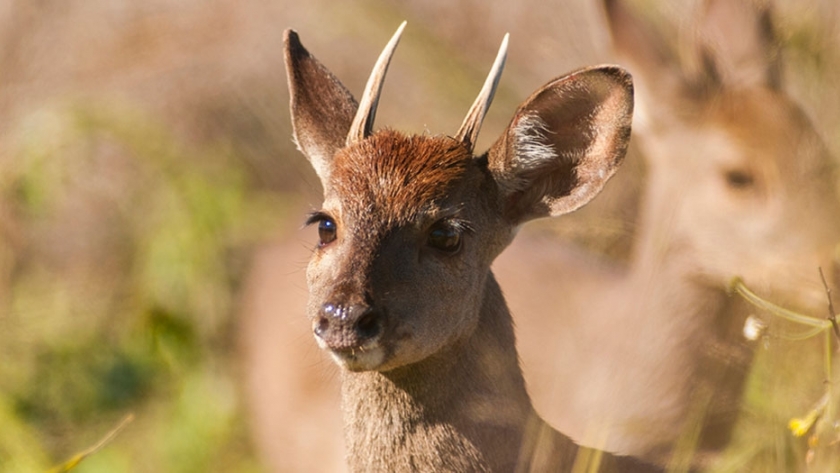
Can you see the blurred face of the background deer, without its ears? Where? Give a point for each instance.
(751, 191)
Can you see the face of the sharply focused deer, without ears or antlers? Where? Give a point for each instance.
(400, 266)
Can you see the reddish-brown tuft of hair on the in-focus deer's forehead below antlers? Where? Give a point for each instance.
(398, 176)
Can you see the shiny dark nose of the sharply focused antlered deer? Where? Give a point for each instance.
(348, 326)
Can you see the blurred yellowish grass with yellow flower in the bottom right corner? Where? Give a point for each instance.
(790, 419)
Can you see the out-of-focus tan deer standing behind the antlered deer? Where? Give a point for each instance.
(739, 184)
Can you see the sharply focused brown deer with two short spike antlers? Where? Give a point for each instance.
(401, 293)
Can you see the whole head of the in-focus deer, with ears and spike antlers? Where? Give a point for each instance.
(410, 224)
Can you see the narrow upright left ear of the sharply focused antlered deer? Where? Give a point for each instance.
(322, 108)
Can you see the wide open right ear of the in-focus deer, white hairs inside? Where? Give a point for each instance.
(563, 143)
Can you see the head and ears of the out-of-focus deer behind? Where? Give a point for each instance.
(738, 176)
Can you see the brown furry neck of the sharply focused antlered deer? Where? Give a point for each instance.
(465, 409)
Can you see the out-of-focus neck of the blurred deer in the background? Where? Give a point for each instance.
(693, 319)
